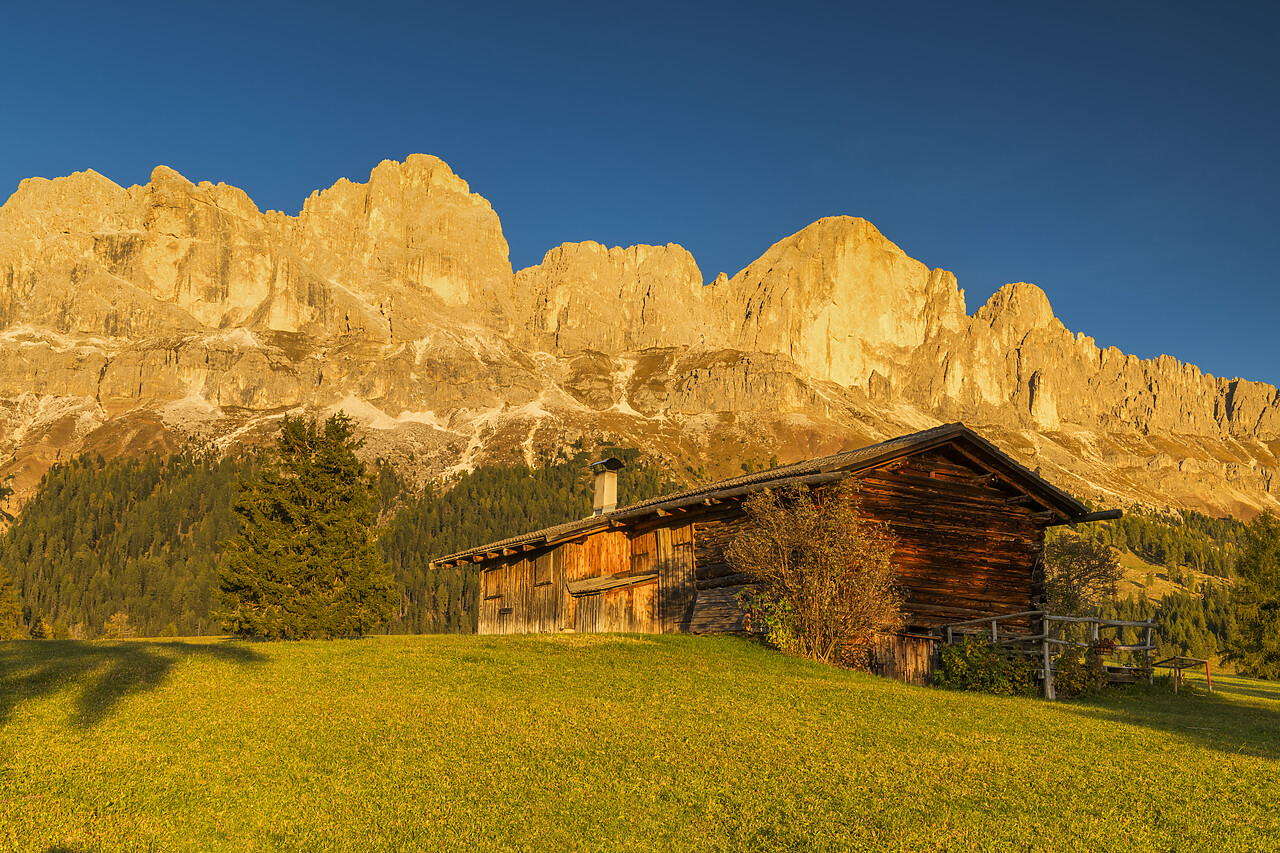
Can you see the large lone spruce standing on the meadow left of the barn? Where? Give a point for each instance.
(305, 564)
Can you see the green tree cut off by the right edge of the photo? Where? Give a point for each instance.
(1256, 649)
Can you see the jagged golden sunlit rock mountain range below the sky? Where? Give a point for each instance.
(139, 320)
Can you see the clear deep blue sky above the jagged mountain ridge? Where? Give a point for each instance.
(1123, 156)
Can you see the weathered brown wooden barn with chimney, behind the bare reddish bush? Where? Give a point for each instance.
(968, 519)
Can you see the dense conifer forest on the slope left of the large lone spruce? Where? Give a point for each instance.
(139, 536)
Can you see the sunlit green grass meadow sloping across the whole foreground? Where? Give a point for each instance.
(601, 743)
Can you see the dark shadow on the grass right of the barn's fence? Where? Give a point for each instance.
(1240, 718)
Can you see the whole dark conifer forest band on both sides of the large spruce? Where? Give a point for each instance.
(135, 546)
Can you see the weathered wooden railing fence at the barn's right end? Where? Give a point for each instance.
(1046, 636)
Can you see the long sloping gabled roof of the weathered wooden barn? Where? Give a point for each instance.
(813, 472)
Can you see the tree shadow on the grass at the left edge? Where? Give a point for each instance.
(103, 674)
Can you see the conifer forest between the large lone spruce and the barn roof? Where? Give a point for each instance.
(487, 505)
